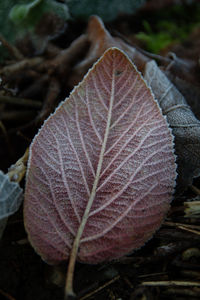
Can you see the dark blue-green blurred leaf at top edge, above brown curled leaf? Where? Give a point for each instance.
(107, 10)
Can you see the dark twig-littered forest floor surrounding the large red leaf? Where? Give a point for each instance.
(168, 266)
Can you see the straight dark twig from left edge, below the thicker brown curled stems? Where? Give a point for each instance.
(20, 101)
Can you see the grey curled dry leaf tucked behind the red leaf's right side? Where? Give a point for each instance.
(185, 126)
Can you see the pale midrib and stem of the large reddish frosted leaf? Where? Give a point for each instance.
(72, 260)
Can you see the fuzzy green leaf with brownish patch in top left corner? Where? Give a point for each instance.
(21, 17)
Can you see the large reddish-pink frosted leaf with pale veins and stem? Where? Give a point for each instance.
(101, 170)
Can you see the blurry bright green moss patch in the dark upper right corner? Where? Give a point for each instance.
(169, 26)
